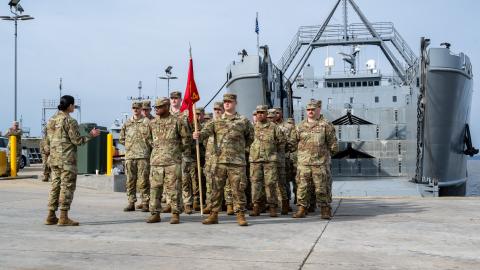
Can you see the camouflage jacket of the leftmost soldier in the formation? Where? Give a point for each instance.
(133, 135)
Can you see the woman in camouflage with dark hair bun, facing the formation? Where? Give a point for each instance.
(63, 137)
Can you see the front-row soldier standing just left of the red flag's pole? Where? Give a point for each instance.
(170, 138)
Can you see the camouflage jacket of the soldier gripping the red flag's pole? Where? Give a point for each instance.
(233, 135)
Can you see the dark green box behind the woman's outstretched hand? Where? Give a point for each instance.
(92, 156)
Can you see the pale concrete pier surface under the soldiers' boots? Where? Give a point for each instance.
(366, 233)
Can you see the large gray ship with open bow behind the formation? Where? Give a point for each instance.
(410, 124)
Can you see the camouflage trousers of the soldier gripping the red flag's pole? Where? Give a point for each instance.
(235, 175)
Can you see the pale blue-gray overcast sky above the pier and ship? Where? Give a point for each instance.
(103, 48)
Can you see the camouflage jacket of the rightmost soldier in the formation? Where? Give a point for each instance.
(316, 142)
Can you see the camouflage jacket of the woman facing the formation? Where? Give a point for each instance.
(63, 137)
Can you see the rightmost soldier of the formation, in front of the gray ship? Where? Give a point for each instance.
(316, 143)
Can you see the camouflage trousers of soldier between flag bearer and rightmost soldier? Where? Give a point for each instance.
(264, 177)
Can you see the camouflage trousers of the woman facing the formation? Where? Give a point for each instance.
(64, 181)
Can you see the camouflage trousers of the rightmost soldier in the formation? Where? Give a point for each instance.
(317, 176)
